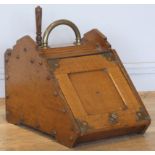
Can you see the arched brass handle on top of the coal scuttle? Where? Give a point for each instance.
(57, 23)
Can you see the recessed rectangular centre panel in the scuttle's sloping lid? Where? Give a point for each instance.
(95, 89)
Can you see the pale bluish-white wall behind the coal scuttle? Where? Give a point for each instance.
(129, 28)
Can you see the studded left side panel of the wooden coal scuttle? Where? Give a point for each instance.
(35, 104)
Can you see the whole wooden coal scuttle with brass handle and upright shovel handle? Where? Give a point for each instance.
(75, 94)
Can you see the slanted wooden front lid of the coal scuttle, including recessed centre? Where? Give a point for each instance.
(95, 90)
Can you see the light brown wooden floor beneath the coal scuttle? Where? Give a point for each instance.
(14, 137)
